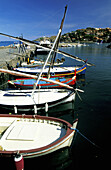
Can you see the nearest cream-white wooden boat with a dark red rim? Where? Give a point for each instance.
(30, 136)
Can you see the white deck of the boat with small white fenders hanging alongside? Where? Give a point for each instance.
(13, 97)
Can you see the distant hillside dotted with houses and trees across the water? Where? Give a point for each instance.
(84, 35)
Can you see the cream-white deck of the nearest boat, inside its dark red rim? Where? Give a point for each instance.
(17, 134)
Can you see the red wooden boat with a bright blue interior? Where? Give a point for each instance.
(28, 83)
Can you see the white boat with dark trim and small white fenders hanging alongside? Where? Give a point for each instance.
(33, 100)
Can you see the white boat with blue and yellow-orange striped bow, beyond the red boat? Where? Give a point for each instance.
(55, 71)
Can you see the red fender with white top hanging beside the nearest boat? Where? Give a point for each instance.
(19, 162)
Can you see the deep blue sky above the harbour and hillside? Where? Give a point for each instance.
(37, 18)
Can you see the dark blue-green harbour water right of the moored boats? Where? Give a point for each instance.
(93, 112)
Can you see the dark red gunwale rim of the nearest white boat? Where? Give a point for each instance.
(31, 152)
